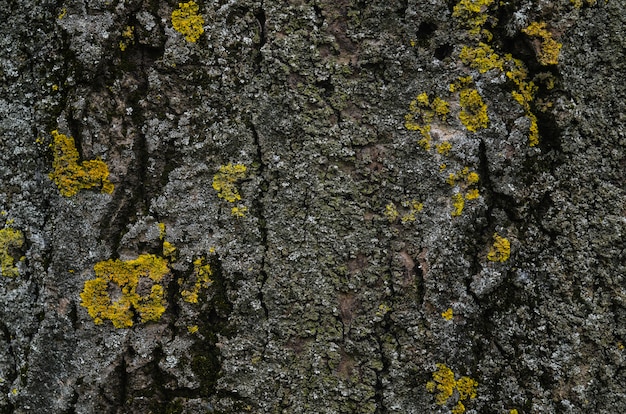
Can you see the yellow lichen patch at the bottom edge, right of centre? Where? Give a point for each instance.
(444, 384)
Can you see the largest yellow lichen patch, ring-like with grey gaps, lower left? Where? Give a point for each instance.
(134, 287)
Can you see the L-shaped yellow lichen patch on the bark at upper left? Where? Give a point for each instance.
(69, 176)
